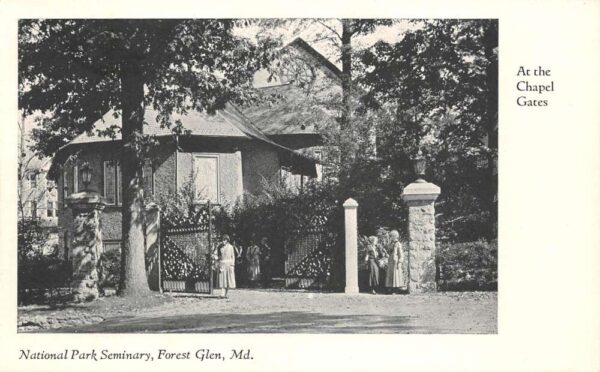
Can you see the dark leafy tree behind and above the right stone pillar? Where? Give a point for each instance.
(439, 88)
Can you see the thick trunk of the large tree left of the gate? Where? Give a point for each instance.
(133, 265)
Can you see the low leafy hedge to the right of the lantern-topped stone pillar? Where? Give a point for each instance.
(467, 266)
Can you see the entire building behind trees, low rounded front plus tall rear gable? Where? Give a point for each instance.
(223, 156)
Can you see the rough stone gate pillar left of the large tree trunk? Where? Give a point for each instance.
(86, 243)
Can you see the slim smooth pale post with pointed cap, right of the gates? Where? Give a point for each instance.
(351, 235)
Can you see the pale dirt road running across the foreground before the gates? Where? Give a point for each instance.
(268, 311)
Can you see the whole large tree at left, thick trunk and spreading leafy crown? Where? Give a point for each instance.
(79, 69)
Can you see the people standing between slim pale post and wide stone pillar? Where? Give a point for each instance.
(376, 257)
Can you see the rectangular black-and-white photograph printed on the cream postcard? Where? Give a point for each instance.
(258, 175)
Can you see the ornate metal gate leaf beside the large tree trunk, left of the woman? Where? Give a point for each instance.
(186, 263)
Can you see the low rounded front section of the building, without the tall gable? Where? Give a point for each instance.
(223, 157)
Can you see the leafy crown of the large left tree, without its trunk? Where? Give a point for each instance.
(70, 68)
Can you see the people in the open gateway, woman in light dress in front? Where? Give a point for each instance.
(256, 256)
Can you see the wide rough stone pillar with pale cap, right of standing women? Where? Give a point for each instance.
(420, 197)
